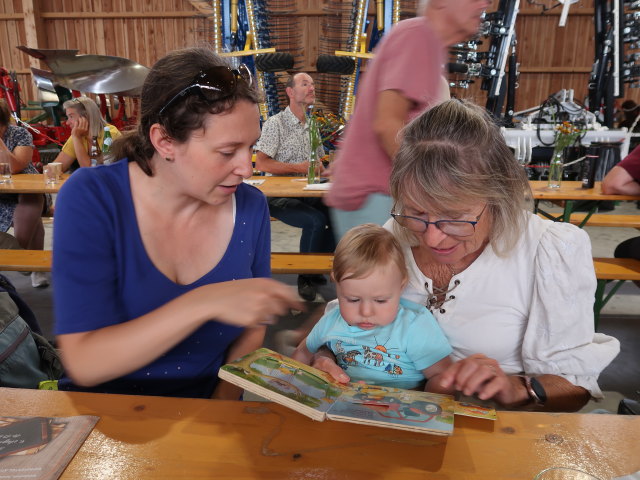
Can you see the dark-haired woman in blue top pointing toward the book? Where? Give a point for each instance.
(157, 256)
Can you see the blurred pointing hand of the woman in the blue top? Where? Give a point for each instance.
(248, 302)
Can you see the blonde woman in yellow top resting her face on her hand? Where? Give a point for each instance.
(86, 122)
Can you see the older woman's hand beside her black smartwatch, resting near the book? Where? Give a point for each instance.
(482, 376)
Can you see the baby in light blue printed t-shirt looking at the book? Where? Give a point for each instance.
(376, 336)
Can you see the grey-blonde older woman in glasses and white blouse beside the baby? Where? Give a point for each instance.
(513, 293)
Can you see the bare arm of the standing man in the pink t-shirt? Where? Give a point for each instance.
(392, 110)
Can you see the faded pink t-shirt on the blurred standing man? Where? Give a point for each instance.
(409, 59)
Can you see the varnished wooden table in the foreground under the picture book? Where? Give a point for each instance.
(150, 437)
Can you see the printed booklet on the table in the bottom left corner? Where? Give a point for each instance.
(40, 447)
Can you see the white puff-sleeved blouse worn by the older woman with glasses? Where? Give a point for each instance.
(532, 311)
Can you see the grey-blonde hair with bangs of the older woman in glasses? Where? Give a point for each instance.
(455, 152)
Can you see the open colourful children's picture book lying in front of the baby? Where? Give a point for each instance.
(317, 395)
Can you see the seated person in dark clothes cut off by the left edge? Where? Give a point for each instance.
(22, 210)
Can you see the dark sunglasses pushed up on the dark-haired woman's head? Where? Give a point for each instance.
(213, 84)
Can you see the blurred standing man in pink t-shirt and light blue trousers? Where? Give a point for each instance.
(401, 81)
